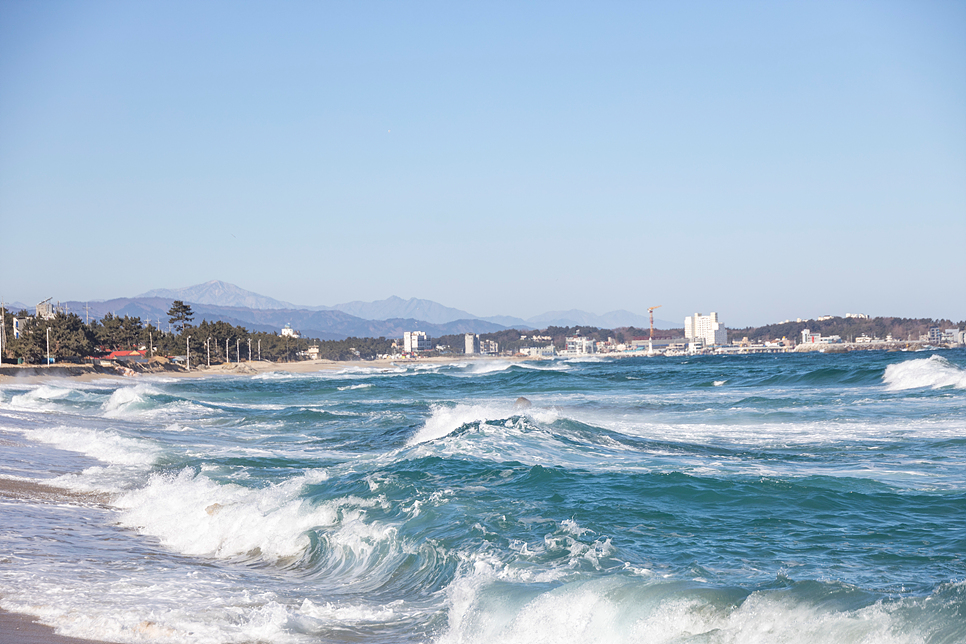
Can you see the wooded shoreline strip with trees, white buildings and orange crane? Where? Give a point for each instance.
(52, 335)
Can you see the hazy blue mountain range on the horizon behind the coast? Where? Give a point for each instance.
(217, 300)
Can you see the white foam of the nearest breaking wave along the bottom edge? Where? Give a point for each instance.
(622, 610)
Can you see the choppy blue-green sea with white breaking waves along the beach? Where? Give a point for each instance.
(783, 498)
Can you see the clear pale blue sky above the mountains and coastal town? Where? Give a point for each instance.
(763, 160)
